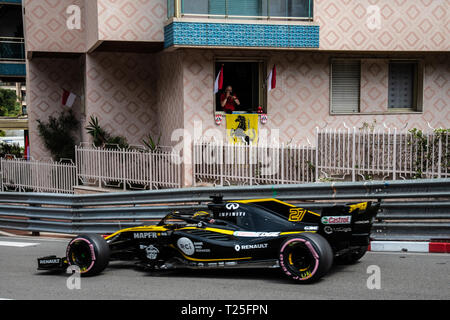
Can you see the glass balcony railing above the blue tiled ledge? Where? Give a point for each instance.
(242, 9)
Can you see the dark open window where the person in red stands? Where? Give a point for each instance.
(246, 78)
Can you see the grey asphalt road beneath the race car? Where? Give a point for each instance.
(402, 275)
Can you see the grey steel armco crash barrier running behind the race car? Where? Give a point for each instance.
(411, 209)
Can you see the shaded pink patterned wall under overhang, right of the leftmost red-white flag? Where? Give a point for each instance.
(121, 92)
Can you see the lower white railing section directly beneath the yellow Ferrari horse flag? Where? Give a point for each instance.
(225, 164)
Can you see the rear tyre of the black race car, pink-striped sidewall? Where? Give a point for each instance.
(306, 258)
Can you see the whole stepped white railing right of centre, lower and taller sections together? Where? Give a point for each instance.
(349, 154)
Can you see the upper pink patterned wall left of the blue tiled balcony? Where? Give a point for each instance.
(101, 20)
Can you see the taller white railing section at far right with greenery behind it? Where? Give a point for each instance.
(381, 154)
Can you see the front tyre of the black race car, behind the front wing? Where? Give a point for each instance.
(88, 252)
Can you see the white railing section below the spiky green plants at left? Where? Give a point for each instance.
(128, 168)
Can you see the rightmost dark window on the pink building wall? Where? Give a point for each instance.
(403, 85)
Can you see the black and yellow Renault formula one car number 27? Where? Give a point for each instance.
(264, 233)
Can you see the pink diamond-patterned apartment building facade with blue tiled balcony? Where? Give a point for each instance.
(149, 67)
